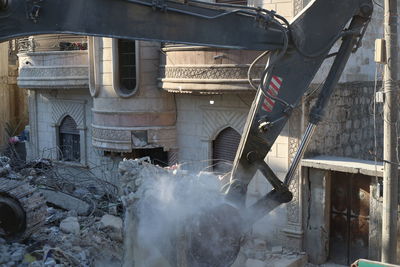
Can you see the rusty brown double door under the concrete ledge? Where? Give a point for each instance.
(349, 217)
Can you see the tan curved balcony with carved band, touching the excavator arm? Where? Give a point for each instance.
(205, 70)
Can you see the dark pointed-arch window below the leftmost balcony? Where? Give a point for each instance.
(69, 140)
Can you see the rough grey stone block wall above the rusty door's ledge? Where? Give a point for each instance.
(348, 127)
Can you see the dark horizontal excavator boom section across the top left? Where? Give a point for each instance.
(154, 20)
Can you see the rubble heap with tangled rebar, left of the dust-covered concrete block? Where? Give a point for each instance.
(70, 236)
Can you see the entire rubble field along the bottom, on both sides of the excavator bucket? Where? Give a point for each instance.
(83, 224)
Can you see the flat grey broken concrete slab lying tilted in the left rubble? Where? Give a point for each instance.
(66, 201)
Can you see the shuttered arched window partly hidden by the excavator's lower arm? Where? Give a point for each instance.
(224, 150)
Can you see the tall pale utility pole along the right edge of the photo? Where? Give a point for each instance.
(390, 109)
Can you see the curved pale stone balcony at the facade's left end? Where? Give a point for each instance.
(53, 62)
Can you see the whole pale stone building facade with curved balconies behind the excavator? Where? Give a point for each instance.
(181, 102)
